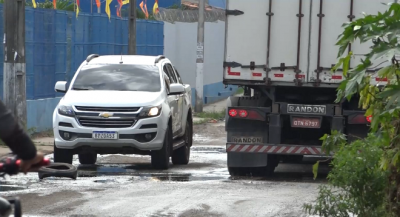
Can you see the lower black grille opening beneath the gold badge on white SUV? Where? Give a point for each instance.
(106, 122)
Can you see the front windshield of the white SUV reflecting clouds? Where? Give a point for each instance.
(118, 77)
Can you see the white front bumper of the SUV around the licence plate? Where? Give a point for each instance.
(131, 137)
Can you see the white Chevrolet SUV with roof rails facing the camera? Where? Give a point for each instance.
(124, 105)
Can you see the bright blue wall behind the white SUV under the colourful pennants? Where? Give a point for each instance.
(56, 44)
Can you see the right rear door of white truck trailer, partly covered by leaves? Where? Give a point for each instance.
(324, 34)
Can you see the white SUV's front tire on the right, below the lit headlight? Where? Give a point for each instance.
(160, 158)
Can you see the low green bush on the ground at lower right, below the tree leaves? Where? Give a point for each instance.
(357, 182)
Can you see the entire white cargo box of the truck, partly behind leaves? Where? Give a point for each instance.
(247, 40)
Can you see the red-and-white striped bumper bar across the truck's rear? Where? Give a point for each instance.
(274, 149)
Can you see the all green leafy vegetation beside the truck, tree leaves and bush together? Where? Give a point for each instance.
(365, 176)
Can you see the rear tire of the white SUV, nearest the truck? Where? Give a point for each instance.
(181, 156)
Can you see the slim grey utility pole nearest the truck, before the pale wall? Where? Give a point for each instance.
(200, 58)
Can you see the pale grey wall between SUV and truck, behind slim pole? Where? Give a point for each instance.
(180, 41)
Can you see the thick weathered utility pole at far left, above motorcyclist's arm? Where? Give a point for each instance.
(14, 71)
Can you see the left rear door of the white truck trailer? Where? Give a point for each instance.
(267, 34)
